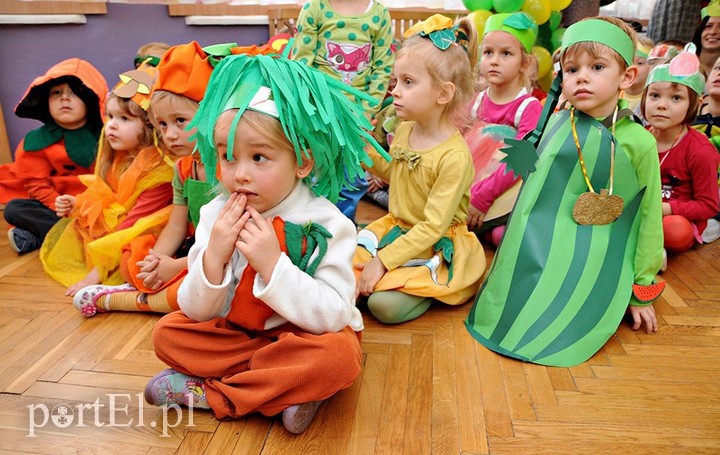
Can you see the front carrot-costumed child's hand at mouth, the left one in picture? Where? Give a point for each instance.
(227, 227)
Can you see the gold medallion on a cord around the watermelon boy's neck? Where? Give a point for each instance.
(592, 208)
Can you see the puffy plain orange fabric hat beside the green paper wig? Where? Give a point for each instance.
(184, 70)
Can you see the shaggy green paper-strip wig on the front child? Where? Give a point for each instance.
(316, 115)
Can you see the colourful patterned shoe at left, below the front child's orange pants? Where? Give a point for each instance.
(171, 387)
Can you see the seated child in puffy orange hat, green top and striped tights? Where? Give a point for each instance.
(149, 265)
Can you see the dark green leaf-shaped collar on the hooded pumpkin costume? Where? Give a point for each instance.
(81, 144)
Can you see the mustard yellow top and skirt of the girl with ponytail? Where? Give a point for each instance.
(424, 241)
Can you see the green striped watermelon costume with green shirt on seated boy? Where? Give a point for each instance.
(556, 290)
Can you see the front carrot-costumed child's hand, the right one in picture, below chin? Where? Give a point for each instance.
(259, 244)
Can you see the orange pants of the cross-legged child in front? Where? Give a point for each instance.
(265, 372)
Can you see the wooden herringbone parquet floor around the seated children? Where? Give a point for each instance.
(74, 385)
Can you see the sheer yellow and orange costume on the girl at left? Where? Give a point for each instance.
(88, 238)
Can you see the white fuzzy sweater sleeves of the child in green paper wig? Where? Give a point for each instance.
(322, 303)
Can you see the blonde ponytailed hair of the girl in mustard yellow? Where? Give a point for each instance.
(455, 64)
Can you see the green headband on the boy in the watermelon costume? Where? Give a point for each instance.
(603, 32)
